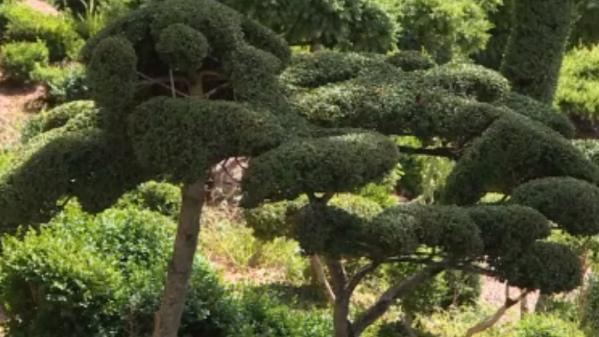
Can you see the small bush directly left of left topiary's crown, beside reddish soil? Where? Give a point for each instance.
(64, 83)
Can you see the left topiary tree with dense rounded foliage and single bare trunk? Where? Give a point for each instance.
(179, 87)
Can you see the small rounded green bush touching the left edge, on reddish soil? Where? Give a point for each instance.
(19, 59)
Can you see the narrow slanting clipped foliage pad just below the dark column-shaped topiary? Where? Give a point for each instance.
(540, 112)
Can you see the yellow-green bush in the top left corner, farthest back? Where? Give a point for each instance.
(22, 23)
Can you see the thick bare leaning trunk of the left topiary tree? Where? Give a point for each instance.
(168, 318)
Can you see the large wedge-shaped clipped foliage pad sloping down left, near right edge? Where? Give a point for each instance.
(496, 162)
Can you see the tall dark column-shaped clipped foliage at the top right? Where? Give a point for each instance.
(536, 46)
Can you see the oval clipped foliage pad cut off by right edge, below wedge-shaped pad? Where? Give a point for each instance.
(570, 203)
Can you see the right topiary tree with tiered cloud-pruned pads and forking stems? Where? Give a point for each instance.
(501, 142)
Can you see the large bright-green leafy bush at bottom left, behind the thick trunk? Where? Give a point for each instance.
(102, 275)
